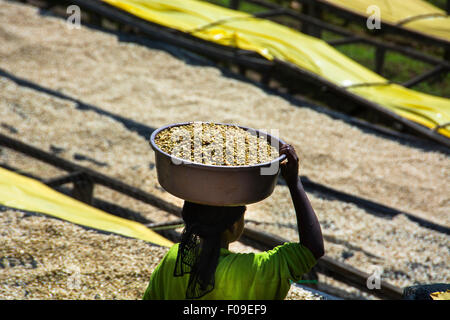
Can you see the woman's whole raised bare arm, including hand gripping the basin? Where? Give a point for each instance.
(308, 225)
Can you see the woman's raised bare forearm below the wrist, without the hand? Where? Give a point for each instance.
(309, 230)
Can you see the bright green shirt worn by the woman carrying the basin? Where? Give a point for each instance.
(239, 276)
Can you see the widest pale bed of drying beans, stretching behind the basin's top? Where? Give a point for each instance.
(153, 88)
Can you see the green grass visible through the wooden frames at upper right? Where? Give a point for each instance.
(397, 68)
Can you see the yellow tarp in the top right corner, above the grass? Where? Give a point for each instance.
(435, 21)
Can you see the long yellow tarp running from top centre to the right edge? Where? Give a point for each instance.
(238, 29)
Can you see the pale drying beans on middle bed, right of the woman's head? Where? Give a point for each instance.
(403, 251)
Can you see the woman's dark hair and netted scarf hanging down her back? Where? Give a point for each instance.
(199, 250)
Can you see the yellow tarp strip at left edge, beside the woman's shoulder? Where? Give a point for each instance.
(17, 191)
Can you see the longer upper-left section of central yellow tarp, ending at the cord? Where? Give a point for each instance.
(239, 29)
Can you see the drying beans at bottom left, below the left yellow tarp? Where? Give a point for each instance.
(46, 258)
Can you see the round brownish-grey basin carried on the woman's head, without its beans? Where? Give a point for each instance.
(216, 185)
